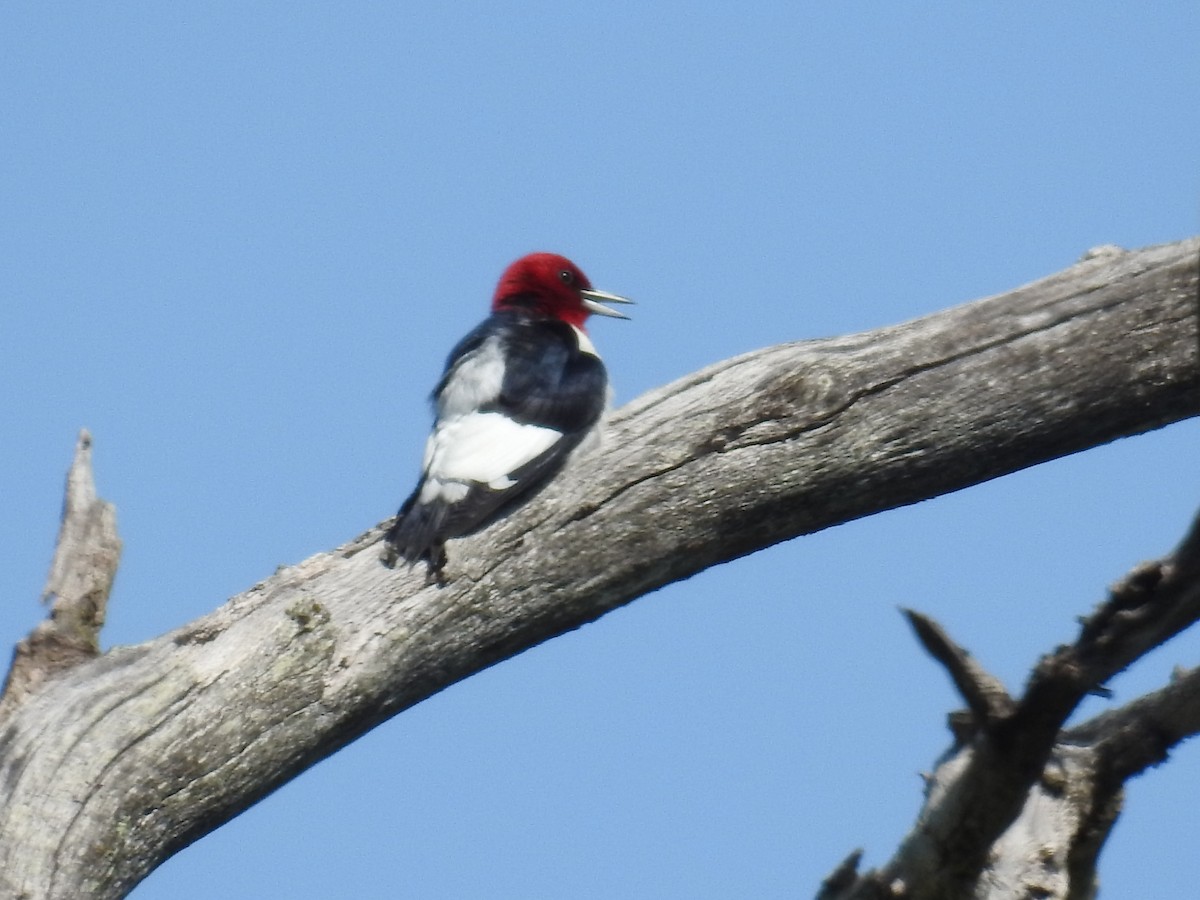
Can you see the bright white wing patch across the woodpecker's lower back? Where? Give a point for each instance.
(483, 449)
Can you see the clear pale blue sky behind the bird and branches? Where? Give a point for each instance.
(237, 243)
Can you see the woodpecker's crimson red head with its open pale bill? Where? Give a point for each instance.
(553, 286)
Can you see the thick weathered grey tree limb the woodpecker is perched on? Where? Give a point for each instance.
(115, 763)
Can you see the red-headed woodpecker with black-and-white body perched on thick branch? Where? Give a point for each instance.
(518, 397)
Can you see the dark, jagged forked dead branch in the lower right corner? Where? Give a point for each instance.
(1022, 807)
